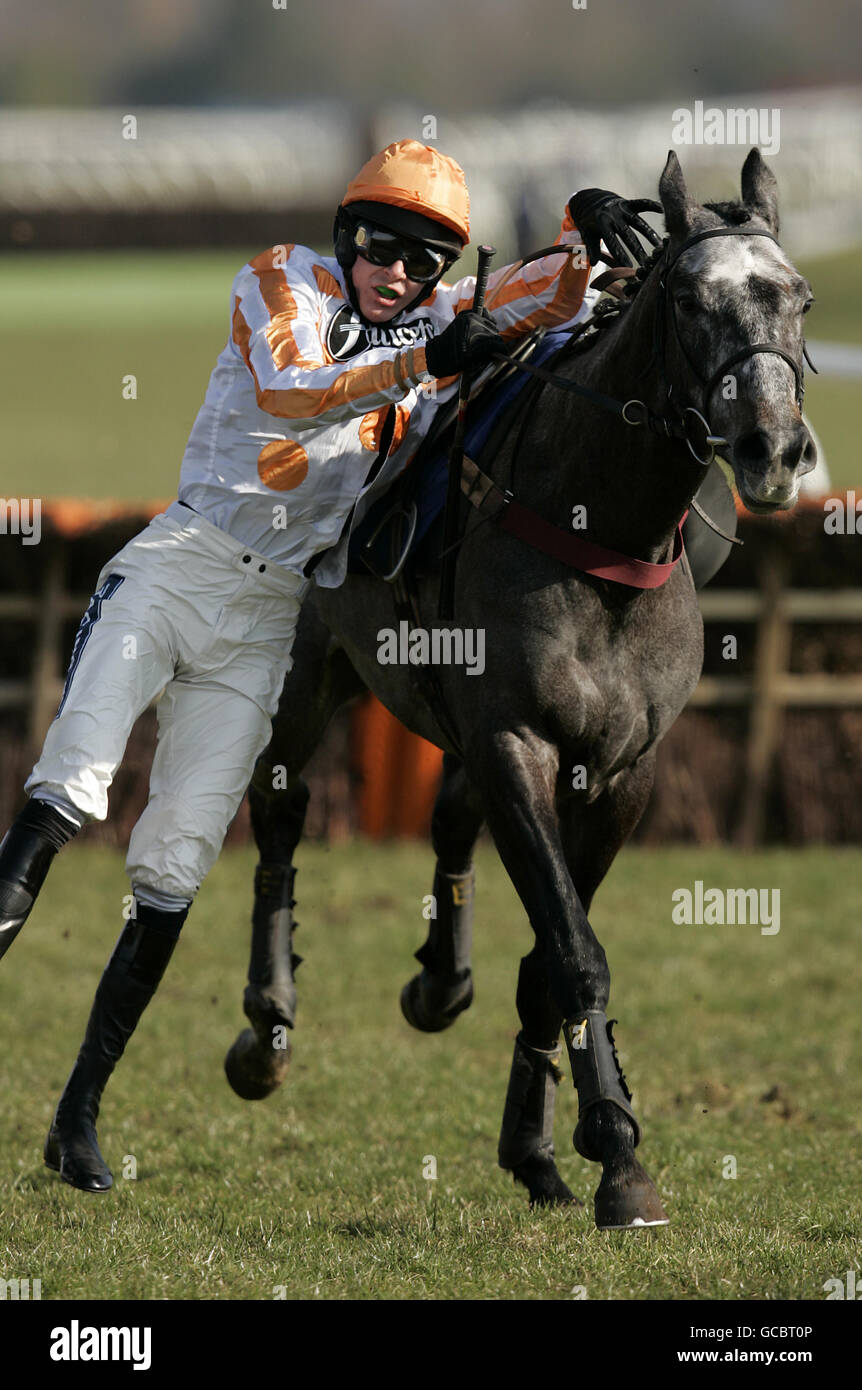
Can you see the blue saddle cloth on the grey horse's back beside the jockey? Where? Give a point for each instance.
(429, 491)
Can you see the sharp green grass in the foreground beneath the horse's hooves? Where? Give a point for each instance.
(735, 1045)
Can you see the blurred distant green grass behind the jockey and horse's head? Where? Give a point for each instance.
(74, 326)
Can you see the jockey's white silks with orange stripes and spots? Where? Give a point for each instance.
(294, 411)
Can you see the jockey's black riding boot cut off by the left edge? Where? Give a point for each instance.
(26, 857)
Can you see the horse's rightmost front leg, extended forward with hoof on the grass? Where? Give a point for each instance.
(518, 775)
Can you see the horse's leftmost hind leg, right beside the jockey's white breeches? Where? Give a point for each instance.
(320, 682)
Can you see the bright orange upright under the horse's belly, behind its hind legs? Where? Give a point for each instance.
(400, 772)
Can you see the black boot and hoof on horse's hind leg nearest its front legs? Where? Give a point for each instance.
(432, 1001)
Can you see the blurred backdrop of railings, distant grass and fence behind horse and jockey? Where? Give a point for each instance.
(148, 151)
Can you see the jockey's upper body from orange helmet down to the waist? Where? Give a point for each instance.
(323, 348)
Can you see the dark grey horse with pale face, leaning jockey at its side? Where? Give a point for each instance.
(554, 747)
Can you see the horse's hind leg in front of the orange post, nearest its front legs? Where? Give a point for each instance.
(433, 1000)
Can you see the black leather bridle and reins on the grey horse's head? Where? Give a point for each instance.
(683, 423)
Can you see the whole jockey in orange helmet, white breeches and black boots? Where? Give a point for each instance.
(316, 404)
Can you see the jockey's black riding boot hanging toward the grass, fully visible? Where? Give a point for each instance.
(124, 992)
